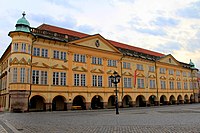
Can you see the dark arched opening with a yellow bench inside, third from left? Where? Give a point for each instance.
(79, 103)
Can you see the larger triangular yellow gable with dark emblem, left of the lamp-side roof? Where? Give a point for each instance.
(96, 42)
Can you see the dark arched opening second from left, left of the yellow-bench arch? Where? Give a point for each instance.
(58, 103)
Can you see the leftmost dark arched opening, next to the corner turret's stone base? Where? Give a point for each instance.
(37, 103)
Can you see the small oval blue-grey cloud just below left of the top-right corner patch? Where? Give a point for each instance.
(163, 21)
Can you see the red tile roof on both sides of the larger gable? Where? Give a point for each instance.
(81, 35)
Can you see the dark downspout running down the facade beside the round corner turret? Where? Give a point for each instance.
(30, 76)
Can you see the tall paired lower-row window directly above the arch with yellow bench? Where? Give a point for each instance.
(79, 80)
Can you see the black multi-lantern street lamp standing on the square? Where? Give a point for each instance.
(115, 79)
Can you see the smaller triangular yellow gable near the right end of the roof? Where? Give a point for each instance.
(169, 59)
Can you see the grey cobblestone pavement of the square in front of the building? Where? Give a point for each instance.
(166, 119)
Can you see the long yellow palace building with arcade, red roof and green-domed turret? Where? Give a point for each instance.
(52, 68)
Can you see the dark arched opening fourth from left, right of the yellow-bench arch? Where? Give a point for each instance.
(97, 102)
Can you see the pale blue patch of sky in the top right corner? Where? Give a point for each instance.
(191, 11)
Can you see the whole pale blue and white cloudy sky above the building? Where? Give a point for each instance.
(166, 26)
